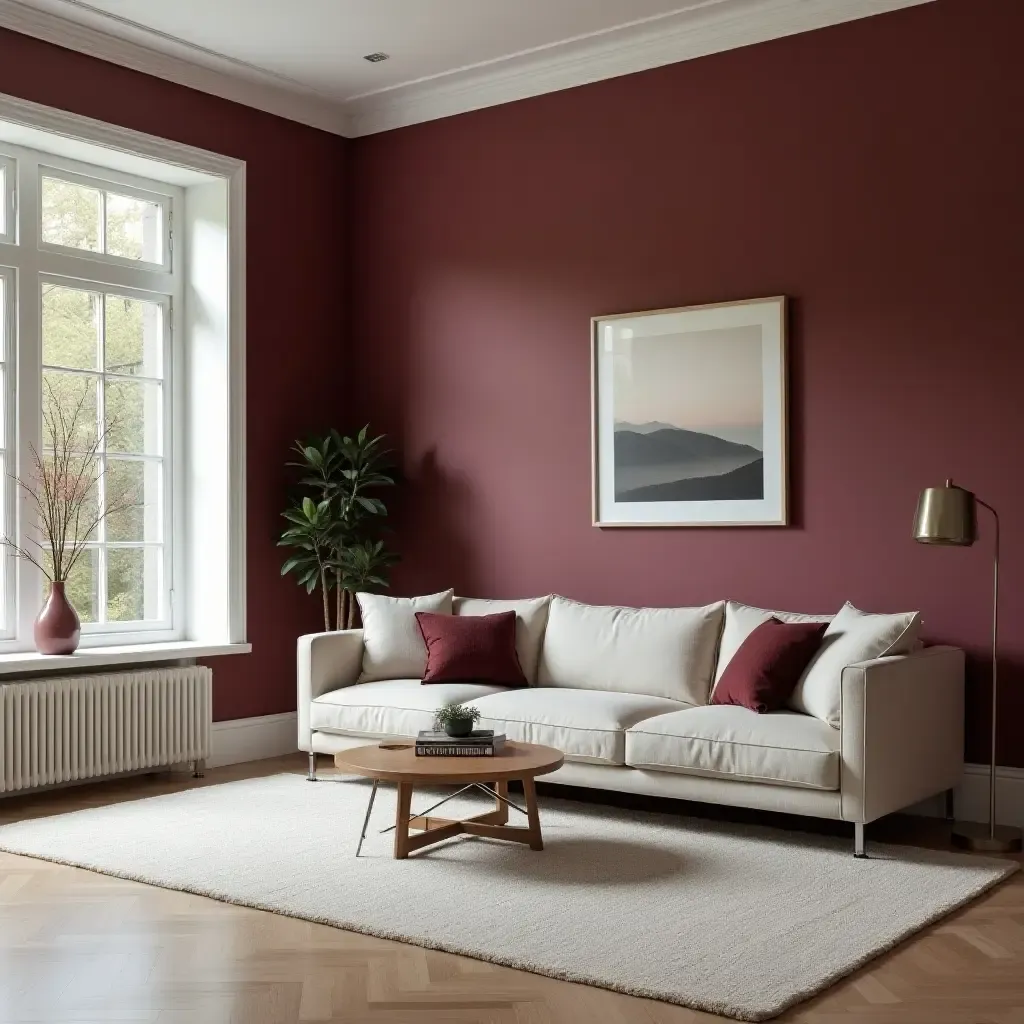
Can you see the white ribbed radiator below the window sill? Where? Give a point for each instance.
(75, 728)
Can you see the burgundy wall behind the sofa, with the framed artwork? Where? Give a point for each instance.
(872, 172)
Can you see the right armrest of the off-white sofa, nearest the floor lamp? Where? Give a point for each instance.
(903, 732)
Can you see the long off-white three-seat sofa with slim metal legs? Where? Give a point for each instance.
(625, 695)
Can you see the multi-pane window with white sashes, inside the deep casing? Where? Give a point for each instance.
(89, 290)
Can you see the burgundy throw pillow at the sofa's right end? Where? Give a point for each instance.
(765, 671)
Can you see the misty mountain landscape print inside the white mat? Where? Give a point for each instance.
(689, 420)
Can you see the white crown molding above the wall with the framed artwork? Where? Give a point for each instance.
(690, 34)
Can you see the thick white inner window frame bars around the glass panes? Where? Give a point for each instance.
(38, 263)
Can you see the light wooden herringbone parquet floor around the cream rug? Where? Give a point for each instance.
(78, 948)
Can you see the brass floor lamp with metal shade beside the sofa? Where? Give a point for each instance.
(949, 517)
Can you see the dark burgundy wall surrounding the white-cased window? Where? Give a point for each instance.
(295, 318)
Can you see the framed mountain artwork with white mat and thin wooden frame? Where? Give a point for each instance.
(690, 416)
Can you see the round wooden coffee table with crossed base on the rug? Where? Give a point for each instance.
(397, 762)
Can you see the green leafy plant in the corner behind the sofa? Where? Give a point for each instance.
(334, 525)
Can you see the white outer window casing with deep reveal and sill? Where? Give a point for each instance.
(212, 233)
